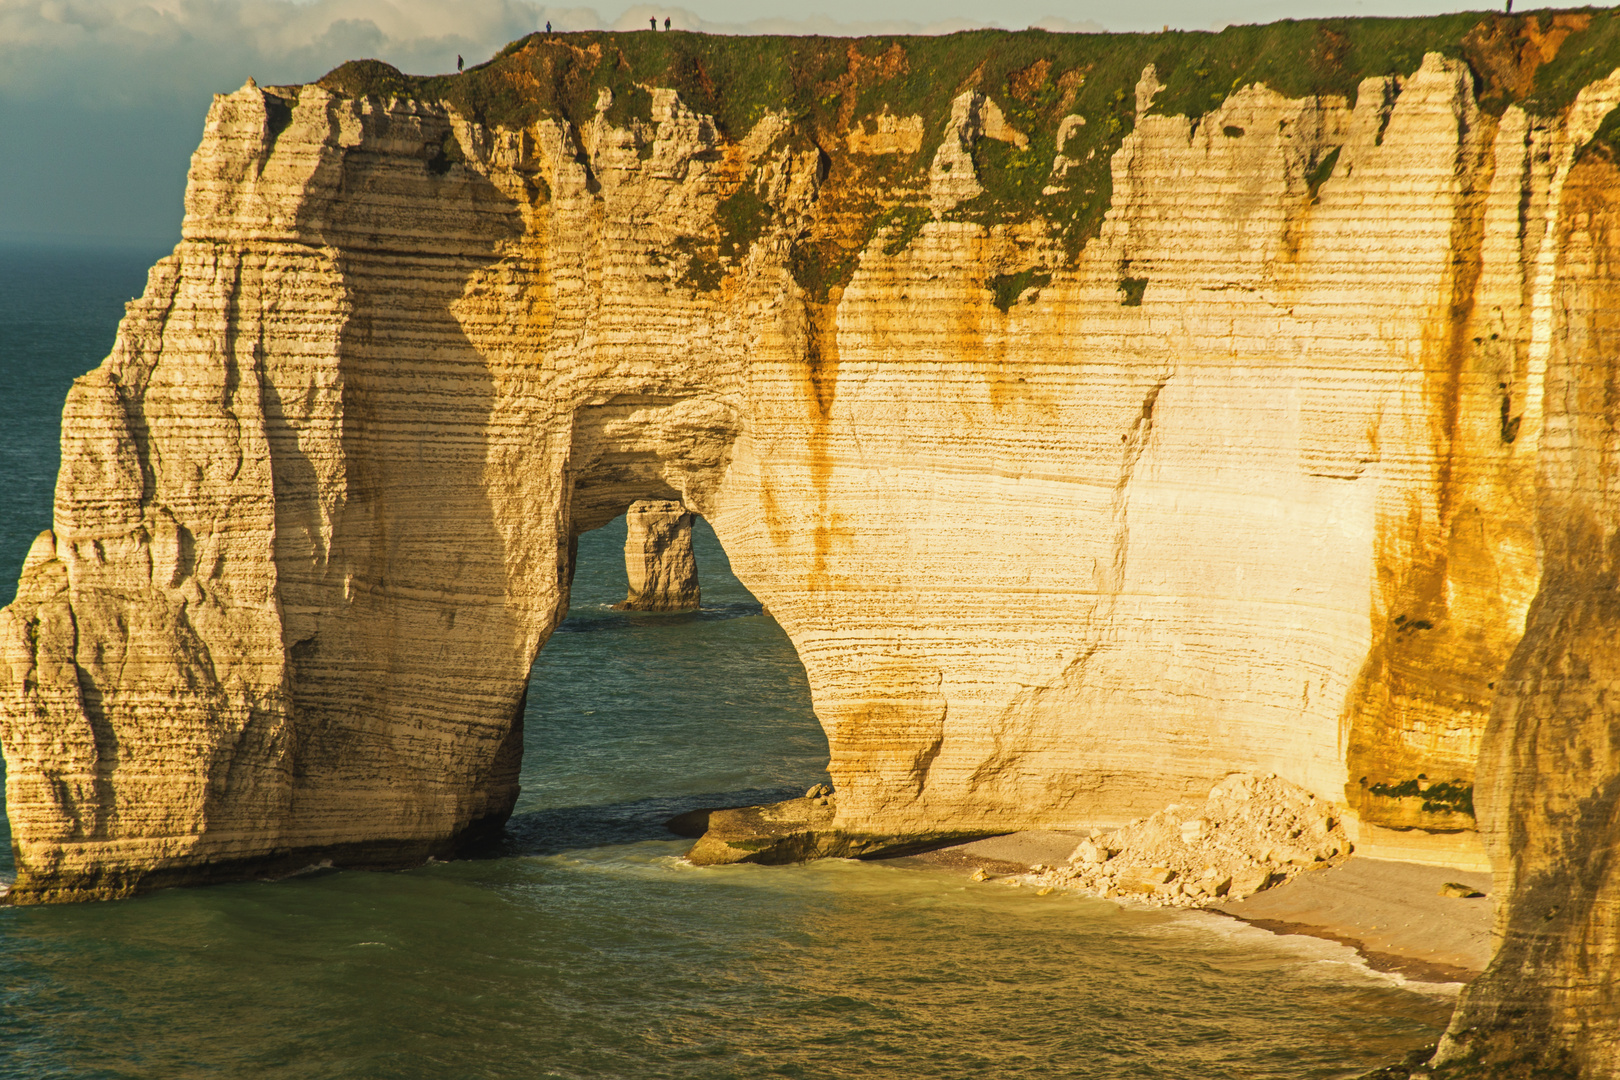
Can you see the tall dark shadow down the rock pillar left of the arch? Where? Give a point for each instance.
(390, 558)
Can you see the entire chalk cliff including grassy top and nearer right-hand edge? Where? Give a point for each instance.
(1093, 422)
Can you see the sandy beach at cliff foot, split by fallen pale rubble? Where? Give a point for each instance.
(1392, 914)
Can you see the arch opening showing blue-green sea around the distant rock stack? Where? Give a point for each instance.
(637, 718)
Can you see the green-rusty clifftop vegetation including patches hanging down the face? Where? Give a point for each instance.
(830, 85)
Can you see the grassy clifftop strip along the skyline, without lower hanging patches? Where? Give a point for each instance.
(832, 82)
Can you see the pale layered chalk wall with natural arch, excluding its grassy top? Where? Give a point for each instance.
(330, 478)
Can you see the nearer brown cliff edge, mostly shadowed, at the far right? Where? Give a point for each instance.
(1550, 772)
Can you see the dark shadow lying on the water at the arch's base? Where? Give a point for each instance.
(576, 828)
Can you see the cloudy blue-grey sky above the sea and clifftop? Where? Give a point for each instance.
(103, 101)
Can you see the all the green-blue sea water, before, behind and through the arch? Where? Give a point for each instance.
(584, 946)
